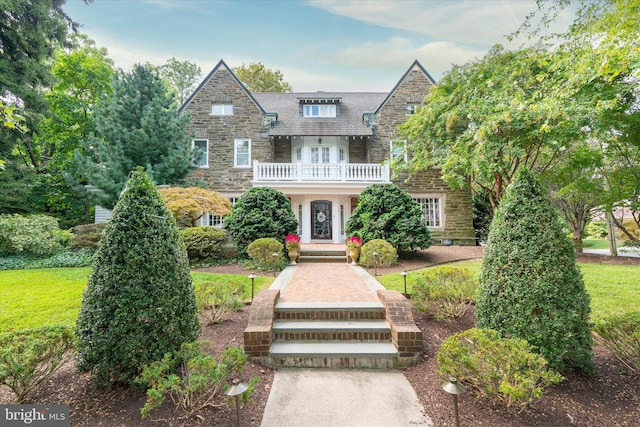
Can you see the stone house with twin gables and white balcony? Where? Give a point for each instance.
(321, 149)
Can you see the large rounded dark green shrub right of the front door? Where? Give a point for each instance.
(387, 212)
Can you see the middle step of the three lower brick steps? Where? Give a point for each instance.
(332, 330)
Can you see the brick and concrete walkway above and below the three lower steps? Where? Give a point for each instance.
(349, 398)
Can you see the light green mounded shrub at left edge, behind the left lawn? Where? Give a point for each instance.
(32, 234)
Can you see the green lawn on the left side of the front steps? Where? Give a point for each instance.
(33, 298)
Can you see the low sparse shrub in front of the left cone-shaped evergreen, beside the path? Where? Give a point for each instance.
(199, 380)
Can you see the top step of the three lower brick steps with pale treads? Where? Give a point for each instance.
(330, 311)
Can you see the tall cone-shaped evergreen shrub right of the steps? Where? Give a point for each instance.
(530, 285)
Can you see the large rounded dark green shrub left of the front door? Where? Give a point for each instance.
(260, 212)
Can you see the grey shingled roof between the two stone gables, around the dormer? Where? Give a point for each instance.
(348, 122)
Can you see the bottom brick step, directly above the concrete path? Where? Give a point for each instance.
(373, 355)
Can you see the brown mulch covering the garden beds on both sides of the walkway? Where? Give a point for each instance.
(612, 398)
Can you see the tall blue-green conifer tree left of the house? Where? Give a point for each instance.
(137, 126)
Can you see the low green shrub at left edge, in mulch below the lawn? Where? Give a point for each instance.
(30, 356)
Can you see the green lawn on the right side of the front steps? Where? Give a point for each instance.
(614, 289)
